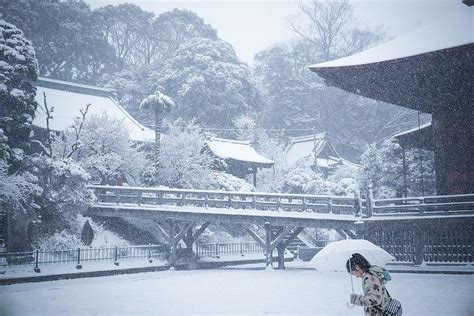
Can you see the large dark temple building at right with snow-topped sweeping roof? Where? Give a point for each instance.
(429, 70)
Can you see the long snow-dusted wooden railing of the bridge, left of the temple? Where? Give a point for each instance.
(223, 199)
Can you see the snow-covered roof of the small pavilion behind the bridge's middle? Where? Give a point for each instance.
(236, 150)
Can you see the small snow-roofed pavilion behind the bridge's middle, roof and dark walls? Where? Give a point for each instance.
(236, 157)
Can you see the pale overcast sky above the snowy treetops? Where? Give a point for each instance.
(252, 26)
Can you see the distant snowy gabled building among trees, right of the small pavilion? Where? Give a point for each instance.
(318, 149)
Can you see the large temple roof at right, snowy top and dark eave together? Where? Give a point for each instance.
(429, 69)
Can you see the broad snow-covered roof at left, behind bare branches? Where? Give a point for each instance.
(69, 98)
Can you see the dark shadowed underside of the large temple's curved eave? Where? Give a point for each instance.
(423, 82)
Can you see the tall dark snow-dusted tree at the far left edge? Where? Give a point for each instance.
(18, 71)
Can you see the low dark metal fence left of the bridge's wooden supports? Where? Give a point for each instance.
(83, 255)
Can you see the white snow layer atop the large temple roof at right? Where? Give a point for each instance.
(450, 30)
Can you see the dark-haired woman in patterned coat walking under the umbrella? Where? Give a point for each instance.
(376, 298)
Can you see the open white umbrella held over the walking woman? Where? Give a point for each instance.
(334, 256)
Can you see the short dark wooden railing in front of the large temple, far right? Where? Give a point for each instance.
(428, 205)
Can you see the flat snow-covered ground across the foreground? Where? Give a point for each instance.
(240, 290)
